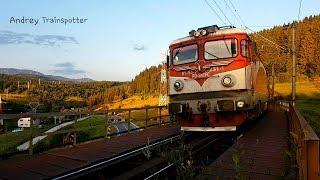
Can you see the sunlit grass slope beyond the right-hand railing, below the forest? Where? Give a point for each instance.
(308, 100)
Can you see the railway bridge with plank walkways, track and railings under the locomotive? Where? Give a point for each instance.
(279, 144)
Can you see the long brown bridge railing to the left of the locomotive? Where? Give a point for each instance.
(142, 117)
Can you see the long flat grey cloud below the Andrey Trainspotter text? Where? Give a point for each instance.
(10, 37)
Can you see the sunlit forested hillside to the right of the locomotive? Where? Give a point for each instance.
(307, 47)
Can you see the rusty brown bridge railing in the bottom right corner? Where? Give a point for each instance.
(306, 144)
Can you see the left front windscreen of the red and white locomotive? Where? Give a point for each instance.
(185, 54)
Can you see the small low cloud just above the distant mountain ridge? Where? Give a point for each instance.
(67, 68)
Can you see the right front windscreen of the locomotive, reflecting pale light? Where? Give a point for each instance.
(226, 48)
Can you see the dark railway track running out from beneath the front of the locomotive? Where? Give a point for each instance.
(162, 158)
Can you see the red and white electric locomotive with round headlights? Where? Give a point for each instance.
(215, 80)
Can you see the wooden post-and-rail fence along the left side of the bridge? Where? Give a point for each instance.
(145, 117)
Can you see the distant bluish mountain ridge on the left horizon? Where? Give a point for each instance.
(13, 71)
